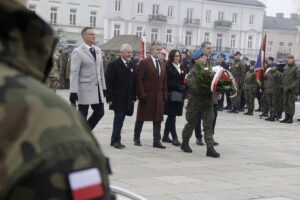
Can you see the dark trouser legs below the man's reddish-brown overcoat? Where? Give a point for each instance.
(156, 130)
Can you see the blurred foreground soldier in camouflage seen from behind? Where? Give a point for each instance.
(42, 139)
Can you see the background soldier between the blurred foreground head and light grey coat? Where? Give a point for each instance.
(53, 80)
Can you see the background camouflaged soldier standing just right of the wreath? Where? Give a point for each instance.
(238, 72)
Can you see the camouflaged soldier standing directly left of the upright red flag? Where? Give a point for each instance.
(250, 85)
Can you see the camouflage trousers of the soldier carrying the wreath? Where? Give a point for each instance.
(194, 110)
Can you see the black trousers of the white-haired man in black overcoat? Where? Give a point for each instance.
(117, 127)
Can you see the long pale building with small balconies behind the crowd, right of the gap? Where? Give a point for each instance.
(228, 24)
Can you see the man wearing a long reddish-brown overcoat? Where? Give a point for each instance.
(152, 92)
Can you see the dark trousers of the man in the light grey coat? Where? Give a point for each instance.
(98, 113)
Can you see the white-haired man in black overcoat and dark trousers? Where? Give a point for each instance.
(121, 91)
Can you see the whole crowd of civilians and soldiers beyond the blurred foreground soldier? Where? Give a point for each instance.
(161, 84)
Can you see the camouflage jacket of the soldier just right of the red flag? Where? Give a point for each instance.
(273, 81)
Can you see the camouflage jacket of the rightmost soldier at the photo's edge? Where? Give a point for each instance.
(291, 78)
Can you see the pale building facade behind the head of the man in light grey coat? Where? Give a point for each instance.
(69, 17)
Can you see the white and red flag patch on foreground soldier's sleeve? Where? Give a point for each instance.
(86, 184)
